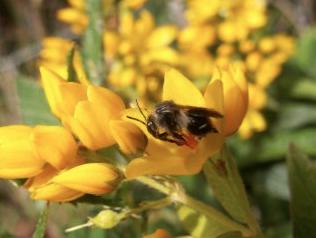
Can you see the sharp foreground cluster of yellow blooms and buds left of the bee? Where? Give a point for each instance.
(49, 156)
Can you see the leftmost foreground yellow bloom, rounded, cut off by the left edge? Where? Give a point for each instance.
(25, 150)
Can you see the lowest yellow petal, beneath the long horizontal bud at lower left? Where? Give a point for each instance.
(55, 192)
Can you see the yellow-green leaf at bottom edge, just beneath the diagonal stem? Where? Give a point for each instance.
(198, 225)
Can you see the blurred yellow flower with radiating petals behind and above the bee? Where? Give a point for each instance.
(139, 51)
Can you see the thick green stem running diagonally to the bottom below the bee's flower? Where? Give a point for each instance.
(177, 195)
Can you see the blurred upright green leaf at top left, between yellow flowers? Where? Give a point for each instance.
(92, 43)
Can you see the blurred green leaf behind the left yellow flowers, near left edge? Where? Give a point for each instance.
(33, 105)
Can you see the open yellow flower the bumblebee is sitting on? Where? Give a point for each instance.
(163, 158)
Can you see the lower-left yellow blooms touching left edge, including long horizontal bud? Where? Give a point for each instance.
(47, 157)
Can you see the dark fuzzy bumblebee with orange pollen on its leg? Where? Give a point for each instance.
(179, 124)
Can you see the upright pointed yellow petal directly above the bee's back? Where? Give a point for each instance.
(181, 90)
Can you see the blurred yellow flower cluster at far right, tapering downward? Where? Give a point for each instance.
(263, 63)
